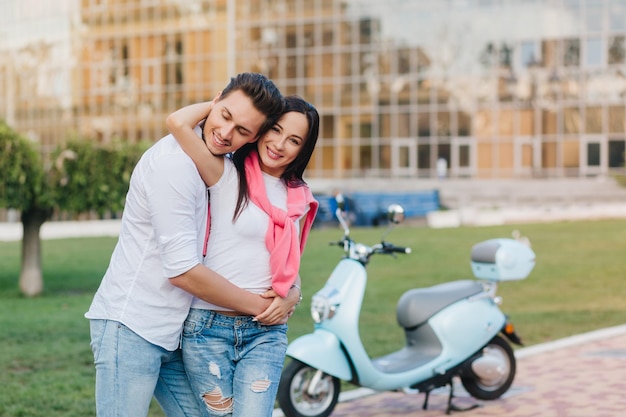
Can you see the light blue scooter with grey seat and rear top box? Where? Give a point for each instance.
(452, 330)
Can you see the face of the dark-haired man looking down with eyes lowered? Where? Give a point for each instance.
(233, 122)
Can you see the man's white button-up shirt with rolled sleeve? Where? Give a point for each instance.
(161, 237)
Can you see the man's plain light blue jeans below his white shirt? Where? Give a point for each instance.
(130, 370)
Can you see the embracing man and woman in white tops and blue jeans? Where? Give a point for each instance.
(193, 307)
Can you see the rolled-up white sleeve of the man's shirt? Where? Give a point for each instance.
(173, 193)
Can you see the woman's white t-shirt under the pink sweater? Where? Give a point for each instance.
(237, 250)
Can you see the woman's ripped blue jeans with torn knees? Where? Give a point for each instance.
(233, 363)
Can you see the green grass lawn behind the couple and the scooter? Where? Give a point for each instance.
(577, 286)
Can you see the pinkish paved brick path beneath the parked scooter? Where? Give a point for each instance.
(582, 376)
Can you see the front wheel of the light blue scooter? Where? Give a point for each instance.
(307, 392)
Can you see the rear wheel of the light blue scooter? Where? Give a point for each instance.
(491, 385)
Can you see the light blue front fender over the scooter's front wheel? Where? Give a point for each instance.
(321, 350)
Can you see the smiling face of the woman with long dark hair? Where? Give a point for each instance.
(282, 143)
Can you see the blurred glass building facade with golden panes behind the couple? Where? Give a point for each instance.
(496, 88)
